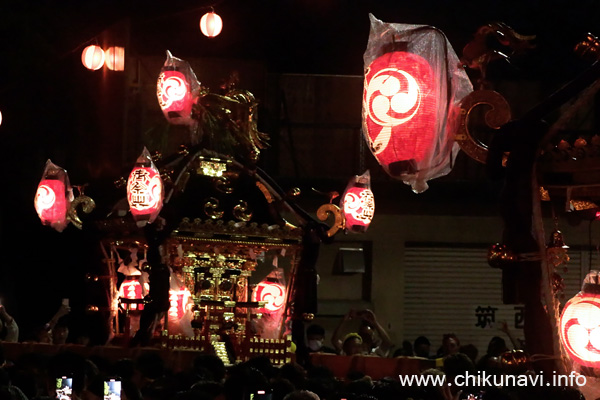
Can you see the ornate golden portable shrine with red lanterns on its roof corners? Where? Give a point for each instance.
(204, 251)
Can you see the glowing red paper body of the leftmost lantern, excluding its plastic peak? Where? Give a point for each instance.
(52, 203)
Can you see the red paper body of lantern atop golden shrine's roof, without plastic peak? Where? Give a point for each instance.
(174, 96)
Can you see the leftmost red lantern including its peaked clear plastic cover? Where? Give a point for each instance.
(53, 197)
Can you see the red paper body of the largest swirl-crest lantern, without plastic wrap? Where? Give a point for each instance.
(400, 105)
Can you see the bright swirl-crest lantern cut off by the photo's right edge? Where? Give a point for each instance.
(580, 323)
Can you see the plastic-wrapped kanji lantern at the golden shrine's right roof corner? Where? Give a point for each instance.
(358, 203)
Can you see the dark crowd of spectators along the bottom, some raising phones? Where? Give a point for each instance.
(147, 377)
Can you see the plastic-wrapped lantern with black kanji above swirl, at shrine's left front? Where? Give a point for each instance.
(144, 190)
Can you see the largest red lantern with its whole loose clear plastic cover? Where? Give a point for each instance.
(412, 92)
